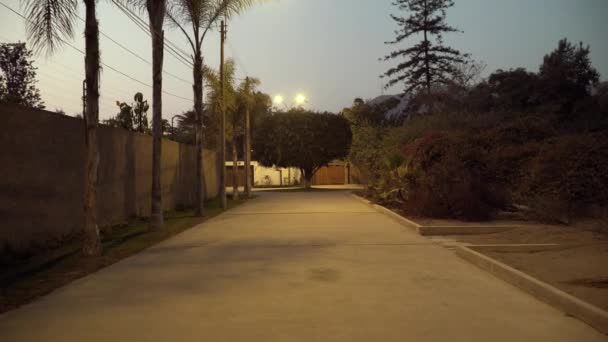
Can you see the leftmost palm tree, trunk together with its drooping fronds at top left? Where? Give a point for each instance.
(49, 24)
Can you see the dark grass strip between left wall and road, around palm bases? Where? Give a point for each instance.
(40, 275)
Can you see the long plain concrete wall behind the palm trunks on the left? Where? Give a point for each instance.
(42, 183)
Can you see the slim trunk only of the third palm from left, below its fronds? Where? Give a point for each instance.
(198, 108)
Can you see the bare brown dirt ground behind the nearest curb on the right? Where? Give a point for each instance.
(578, 269)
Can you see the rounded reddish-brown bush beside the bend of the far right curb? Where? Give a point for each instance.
(447, 178)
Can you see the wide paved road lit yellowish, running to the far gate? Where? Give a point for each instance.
(293, 267)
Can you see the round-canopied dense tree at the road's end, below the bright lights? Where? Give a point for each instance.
(302, 139)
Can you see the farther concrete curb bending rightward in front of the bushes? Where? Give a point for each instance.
(436, 230)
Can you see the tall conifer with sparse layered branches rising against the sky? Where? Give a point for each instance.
(429, 62)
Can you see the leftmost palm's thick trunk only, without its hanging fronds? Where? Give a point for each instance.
(91, 244)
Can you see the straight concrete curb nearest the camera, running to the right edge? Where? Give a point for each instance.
(588, 313)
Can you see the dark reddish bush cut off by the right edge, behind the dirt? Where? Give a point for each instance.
(568, 177)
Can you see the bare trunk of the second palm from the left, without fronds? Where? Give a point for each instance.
(156, 13)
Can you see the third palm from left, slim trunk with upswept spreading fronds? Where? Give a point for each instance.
(200, 16)
